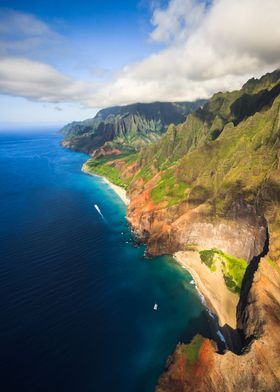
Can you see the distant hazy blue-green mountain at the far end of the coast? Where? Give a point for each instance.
(126, 127)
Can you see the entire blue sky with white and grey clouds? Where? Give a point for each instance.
(63, 60)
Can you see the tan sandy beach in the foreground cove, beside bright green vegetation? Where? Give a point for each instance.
(219, 299)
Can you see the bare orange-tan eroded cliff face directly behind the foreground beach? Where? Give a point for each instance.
(172, 229)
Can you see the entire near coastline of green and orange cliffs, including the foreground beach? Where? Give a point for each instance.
(209, 189)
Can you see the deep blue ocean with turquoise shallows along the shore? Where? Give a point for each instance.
(76, 297)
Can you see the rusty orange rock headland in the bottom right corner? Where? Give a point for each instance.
(258, 369)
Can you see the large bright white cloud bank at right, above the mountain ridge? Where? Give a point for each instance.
(211, 48)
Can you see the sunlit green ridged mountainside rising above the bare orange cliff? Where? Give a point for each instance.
(223, 159)
